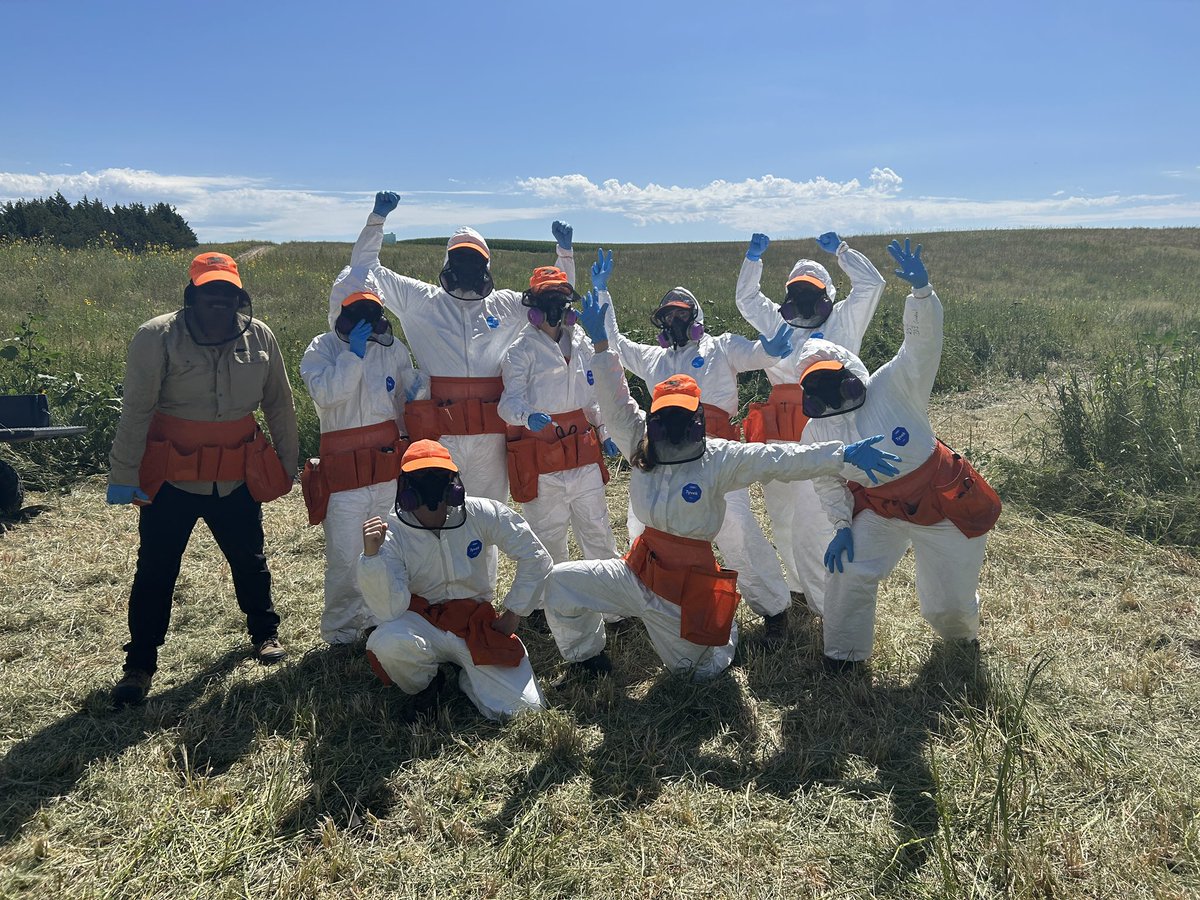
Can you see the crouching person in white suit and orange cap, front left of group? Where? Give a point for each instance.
(424, 574)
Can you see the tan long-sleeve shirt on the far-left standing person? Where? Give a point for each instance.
(167, 371)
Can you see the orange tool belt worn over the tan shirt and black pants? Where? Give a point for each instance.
(194, 451)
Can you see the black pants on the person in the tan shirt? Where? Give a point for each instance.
(165, 527)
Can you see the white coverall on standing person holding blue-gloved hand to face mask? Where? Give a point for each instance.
(351, 393)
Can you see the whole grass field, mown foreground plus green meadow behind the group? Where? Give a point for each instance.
(1061, 763)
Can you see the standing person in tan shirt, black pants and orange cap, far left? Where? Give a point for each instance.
(188, 447)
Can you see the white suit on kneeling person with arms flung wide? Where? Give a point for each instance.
(687, 500)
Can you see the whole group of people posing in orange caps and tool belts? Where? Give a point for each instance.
(524, 394)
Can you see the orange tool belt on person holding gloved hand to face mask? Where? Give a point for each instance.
(351, 459)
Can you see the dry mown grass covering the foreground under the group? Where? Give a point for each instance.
(1063, 764)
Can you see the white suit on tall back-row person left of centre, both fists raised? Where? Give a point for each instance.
(455, 339)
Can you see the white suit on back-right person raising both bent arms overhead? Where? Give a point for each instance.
(797, 520)
